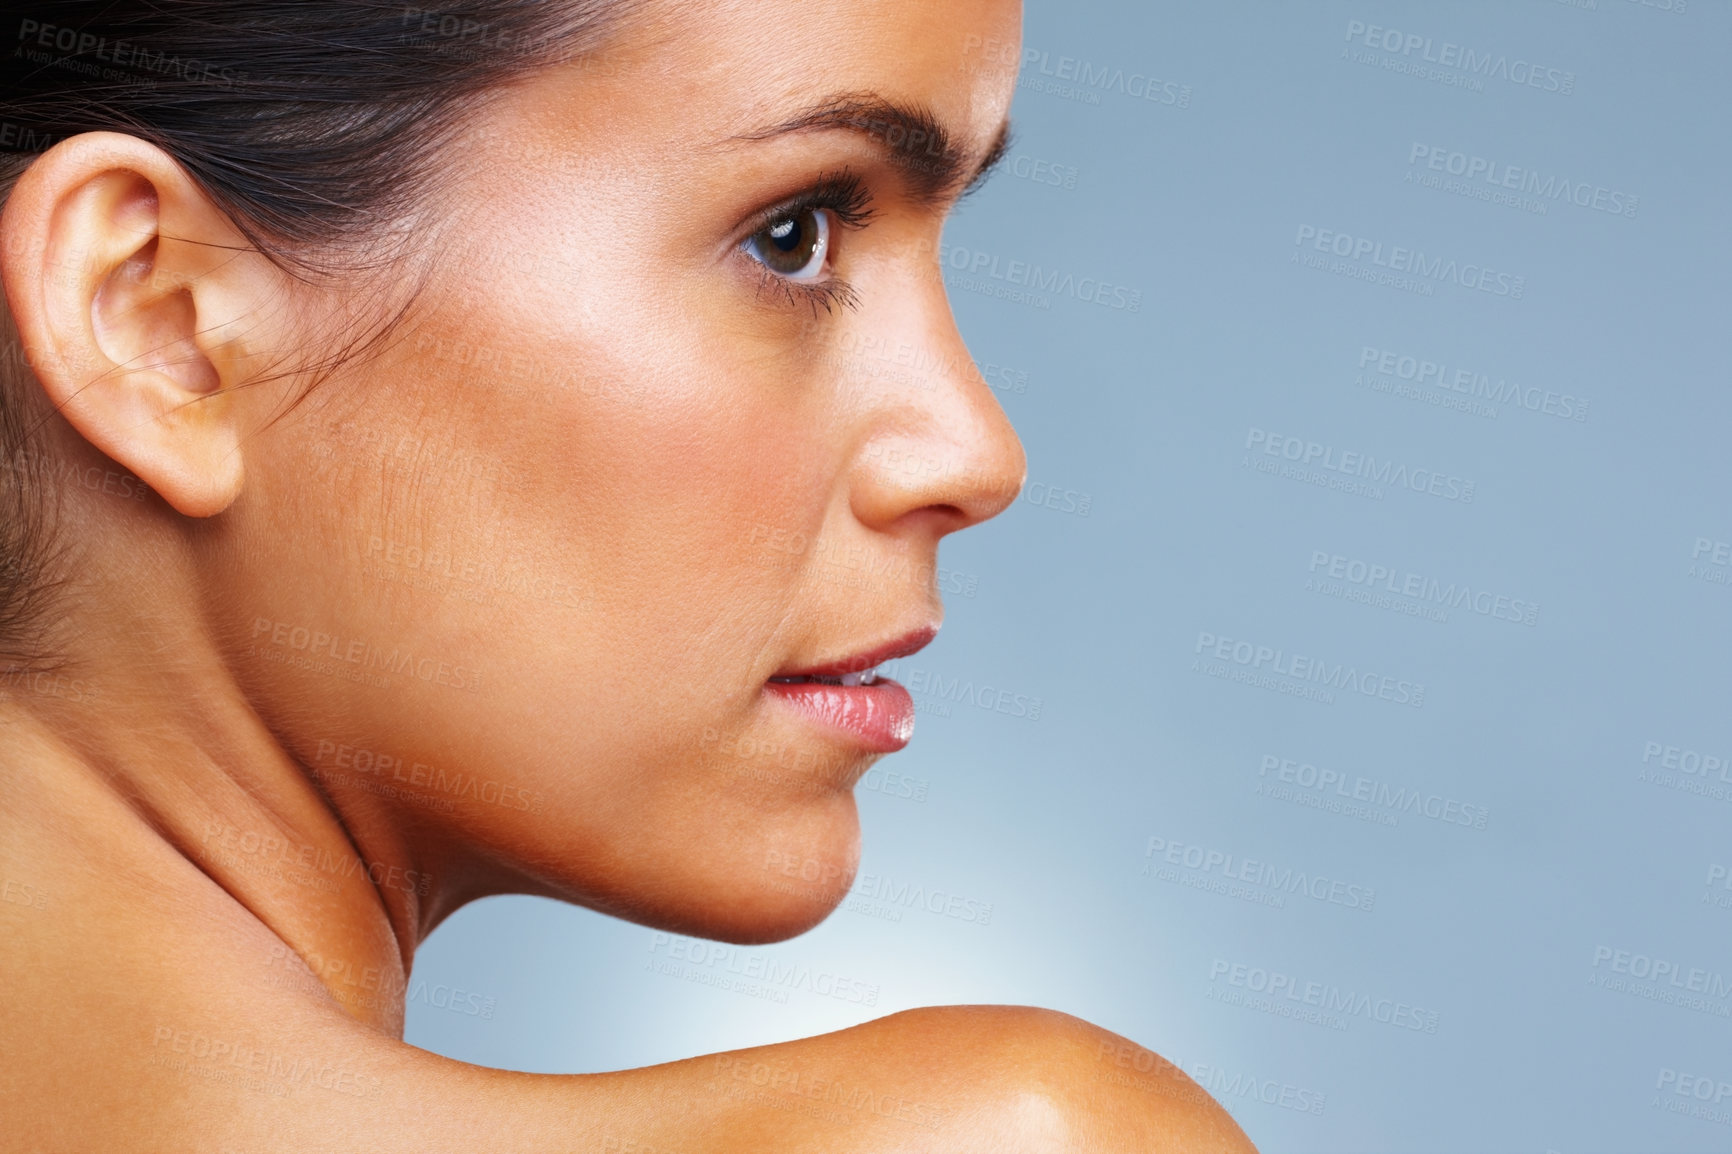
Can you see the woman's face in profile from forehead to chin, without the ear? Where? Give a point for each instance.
(520, 587)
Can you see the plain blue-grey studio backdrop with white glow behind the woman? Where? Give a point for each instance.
(1012, 859)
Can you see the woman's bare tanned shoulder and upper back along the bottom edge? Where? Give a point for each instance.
(250, 1065)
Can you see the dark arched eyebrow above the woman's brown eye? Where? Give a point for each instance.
(912, 138)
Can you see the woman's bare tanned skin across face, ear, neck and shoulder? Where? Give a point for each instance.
(597, 488)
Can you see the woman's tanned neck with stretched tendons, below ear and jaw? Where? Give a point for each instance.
(139, 748)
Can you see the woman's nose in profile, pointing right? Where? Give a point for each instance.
(940, 450)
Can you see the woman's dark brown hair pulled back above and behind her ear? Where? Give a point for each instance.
(316, 126)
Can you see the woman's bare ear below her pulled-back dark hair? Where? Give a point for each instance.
(134, 297)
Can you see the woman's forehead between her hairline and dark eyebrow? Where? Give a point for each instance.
(718, 75)
